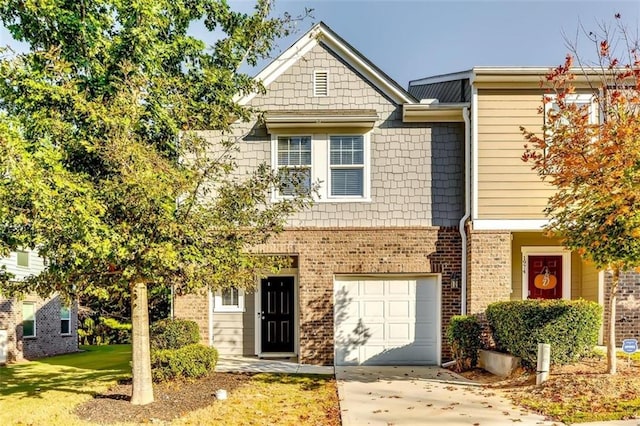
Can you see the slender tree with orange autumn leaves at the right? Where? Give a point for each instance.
(595, 164)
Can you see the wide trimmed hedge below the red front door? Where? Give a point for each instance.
(569, 326)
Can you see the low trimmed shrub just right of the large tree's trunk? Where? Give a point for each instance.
(191, 361)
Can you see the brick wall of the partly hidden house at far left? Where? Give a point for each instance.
(48, 339)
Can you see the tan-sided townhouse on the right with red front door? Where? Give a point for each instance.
(506, 247)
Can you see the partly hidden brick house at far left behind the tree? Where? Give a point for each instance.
(33, 327)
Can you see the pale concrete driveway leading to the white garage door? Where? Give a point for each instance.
(422, 396)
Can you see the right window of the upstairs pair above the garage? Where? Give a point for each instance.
(346, 161)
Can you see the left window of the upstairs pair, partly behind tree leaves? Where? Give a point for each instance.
(294, 164)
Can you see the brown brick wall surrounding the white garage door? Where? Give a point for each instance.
(322, 253)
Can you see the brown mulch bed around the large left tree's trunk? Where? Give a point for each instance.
(172, 400)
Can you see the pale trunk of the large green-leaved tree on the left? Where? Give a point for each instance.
(142, 385)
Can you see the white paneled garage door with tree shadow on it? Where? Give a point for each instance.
(387, 321)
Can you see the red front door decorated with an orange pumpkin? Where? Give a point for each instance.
(545, 277)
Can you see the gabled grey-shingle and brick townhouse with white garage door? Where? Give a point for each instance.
(377, 262)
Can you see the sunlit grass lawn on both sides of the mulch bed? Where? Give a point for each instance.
(46, 392)
